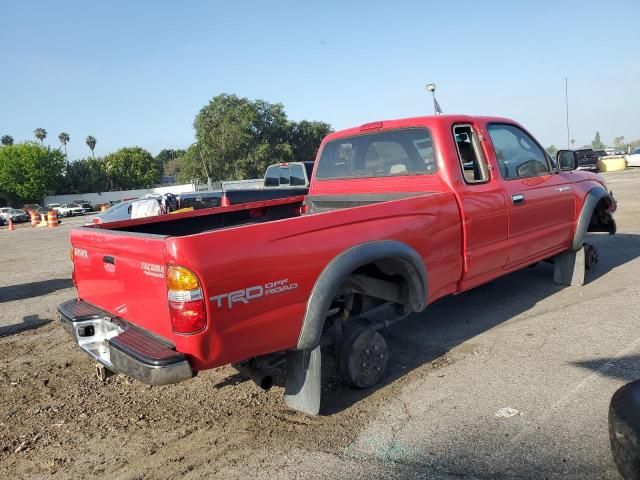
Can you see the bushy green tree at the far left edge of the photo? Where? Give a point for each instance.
(29, 170)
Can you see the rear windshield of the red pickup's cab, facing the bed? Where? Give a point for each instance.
(394, 152)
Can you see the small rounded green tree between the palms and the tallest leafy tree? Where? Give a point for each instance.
(133, 167)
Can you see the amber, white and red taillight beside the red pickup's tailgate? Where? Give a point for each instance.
(186, 302)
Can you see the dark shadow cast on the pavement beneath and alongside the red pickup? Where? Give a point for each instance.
(429, 339)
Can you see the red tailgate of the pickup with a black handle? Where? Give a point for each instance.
(123, 274)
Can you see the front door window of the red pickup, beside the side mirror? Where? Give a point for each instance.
(518, 155)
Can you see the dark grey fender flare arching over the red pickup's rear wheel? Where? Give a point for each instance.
(337, 271)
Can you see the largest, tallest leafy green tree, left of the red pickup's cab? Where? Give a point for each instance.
(237, 138)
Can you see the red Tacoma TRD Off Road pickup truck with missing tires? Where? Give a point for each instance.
(399, 213)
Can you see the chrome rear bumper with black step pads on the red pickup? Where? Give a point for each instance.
(122, 347)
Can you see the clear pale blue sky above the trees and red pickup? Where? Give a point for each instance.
(137, 72)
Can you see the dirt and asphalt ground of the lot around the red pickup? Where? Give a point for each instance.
(554, 354)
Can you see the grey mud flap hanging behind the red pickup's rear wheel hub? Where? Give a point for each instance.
(303, 381)
